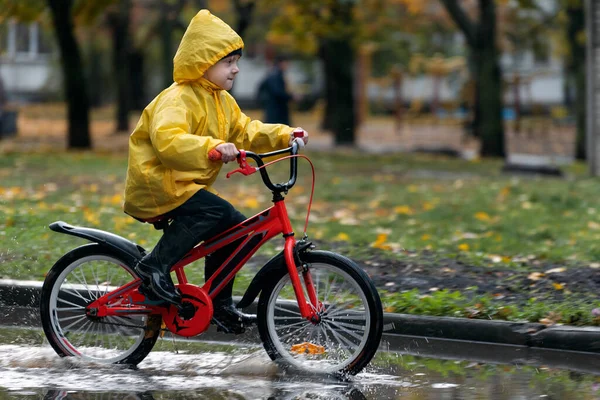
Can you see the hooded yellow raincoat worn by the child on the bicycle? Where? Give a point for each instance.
(168, 150)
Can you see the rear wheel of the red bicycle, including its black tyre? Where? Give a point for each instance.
(77, 279)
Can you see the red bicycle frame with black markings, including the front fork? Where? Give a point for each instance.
(254, 231)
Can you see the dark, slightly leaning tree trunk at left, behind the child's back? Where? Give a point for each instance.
(73, 76)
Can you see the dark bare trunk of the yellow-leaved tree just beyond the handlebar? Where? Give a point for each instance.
(338, 61)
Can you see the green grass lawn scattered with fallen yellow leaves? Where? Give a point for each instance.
(388, 206)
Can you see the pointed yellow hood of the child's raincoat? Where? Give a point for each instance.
(206, 40)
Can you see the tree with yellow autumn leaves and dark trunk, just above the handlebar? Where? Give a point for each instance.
(331, 30)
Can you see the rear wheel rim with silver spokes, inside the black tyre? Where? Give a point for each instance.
(108, 339)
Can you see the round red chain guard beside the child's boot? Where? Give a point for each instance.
(200, 304)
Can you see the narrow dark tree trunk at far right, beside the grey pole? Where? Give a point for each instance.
(576, 72)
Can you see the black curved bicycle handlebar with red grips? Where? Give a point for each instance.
(246, 169)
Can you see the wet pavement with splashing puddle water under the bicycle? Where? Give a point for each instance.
(424, 369)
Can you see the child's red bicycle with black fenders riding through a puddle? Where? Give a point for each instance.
(317, 311)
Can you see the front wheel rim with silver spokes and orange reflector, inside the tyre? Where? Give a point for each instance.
(331, 345)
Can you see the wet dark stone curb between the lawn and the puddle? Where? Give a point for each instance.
(24, 296)
